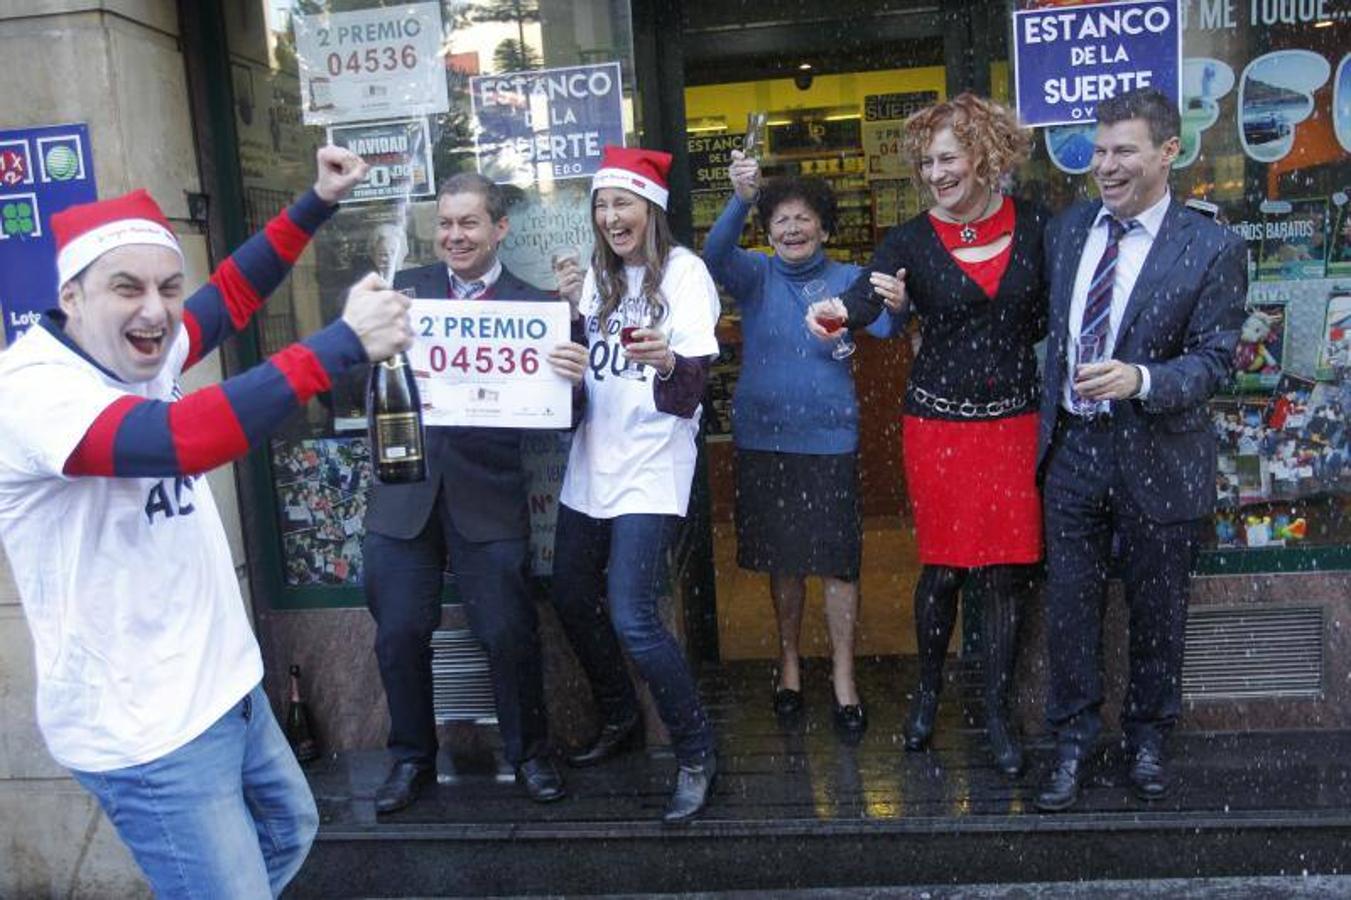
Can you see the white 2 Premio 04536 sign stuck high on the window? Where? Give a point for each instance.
(372, 64)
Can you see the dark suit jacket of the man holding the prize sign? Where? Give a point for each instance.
(479, 470)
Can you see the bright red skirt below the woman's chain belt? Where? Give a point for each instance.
(973, 490)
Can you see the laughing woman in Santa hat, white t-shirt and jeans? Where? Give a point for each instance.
(651, 309)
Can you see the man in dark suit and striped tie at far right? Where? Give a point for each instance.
(1156, 293)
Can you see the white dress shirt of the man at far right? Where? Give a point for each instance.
(1131, 253)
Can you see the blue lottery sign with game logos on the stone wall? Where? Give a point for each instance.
(43, 171)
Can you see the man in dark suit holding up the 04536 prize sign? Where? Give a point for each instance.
(472, 514)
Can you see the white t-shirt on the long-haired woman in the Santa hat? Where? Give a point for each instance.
(628, 457)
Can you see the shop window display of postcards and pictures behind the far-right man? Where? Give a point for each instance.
(1267, 122)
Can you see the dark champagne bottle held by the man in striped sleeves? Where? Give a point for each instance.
(394, 413)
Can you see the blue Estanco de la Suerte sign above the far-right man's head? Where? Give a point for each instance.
(1069, 59)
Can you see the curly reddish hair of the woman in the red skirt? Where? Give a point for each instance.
(990, 132)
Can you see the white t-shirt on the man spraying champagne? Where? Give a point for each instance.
(138, 626)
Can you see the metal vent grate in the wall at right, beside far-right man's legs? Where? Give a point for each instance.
(1253, 653)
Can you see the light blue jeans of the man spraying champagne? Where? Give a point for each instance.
(226, 816)
